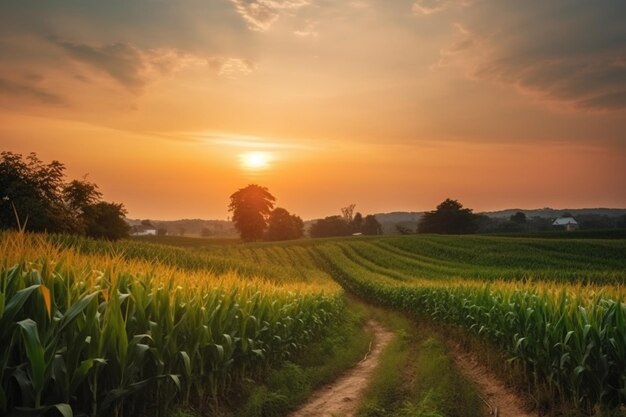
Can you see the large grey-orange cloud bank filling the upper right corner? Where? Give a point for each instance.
(576, 56)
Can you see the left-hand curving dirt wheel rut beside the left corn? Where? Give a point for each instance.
(341, 398)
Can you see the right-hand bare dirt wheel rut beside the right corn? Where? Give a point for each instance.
(502, 401)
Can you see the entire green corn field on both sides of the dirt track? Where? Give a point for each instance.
(136, 327)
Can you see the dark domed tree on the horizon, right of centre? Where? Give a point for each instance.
(449, 218)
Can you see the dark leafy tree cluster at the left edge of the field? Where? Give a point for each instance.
(37, 197)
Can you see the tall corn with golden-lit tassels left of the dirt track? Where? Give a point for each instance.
(86, 330)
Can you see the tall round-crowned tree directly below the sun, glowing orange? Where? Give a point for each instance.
(251, 207)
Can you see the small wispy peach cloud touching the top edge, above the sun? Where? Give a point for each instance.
(261, 14)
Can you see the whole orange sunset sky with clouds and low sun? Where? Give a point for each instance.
(171, 106)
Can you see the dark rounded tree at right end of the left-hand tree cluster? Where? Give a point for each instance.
(106, 221)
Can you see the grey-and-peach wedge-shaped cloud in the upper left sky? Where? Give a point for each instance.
(130, 66)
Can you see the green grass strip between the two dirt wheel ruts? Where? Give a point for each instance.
(416, 377)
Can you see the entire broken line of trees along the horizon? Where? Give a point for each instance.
(37, 197)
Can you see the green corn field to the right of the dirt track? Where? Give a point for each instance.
(568, 337)
